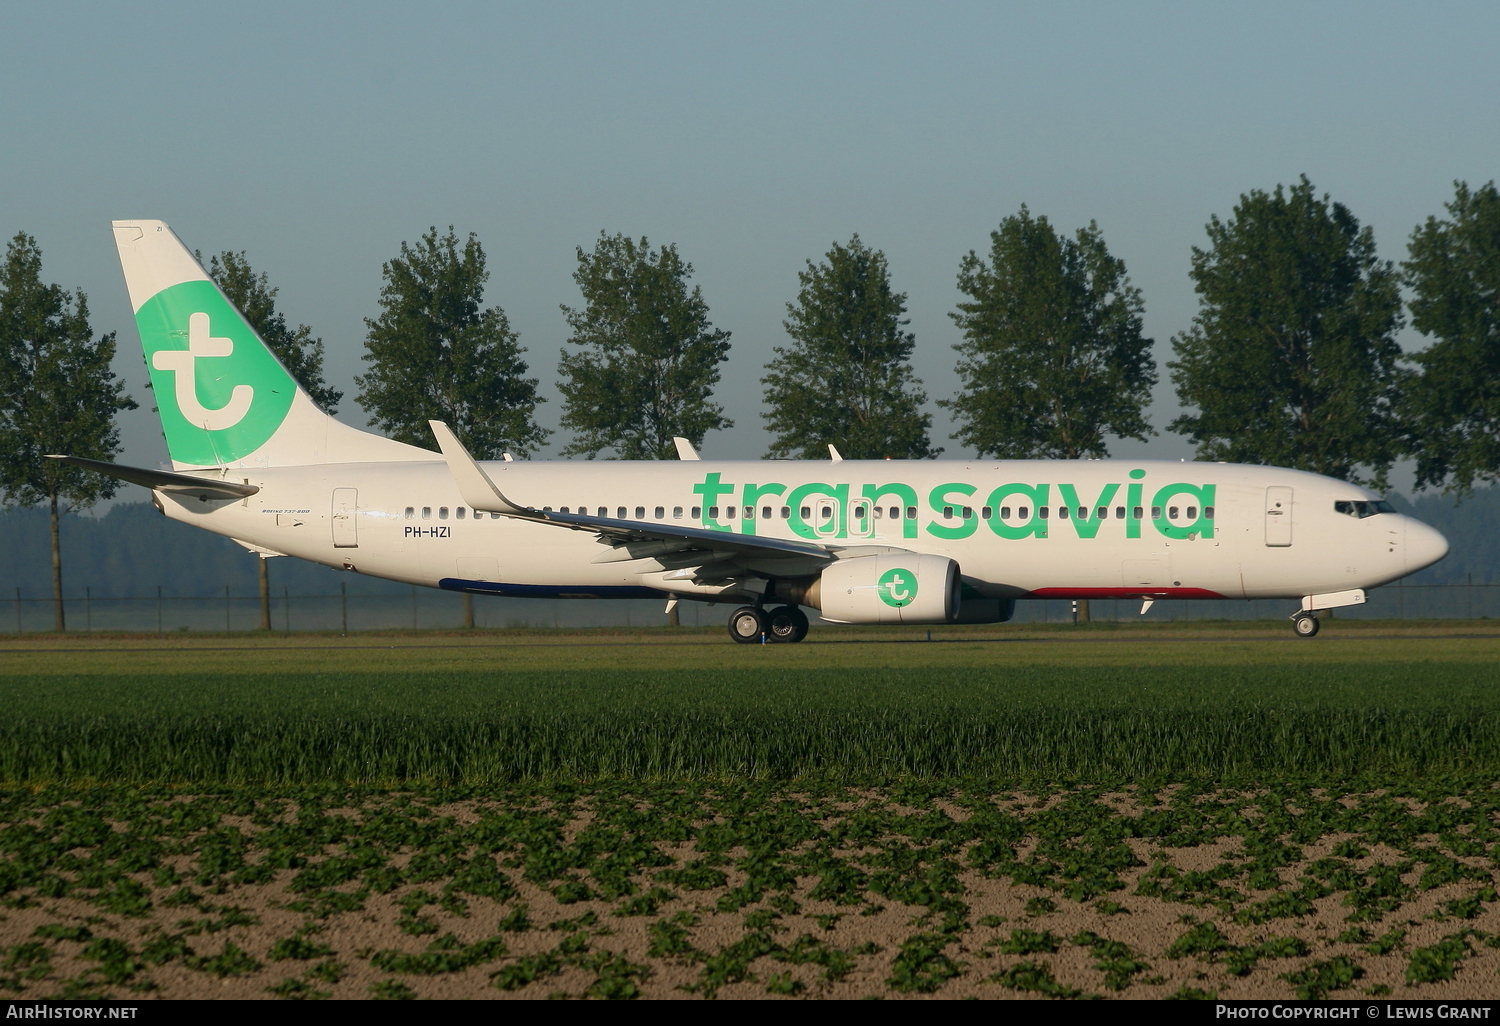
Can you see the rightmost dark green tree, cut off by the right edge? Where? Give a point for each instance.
(1453, 407)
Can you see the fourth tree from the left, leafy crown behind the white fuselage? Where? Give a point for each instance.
(649, 355)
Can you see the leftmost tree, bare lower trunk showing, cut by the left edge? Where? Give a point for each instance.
(58, 395)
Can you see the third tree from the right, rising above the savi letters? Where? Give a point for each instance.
(1052, 355)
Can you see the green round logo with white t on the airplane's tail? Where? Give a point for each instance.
(220, 391)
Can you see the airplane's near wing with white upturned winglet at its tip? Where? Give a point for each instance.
(629, 539)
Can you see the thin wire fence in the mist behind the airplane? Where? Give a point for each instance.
(431, 610)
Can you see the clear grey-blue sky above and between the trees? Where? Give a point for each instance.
(319, 137)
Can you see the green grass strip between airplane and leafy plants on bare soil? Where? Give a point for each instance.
(1105, 704)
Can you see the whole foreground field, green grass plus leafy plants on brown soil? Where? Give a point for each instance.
(1148, 812)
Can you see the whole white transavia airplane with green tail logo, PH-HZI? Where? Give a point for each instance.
(863, 542)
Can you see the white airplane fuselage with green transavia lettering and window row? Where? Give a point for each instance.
(1231, 532)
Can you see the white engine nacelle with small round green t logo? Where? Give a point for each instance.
(892, 589)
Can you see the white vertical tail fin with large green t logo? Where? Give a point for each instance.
(223, 395)
